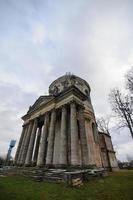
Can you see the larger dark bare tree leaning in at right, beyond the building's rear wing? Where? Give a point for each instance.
(122, 106)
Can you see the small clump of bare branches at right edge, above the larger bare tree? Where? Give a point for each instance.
(129, 80)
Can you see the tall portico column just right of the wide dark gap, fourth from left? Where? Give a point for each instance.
(42, 148)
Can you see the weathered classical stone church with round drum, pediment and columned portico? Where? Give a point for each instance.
(60, 130)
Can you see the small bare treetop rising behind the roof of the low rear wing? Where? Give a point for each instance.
(103, 124)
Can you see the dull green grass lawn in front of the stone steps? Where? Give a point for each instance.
(117, 186)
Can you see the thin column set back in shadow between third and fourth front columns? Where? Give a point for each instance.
(37, 145)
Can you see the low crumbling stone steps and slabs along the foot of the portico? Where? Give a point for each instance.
(67, 176)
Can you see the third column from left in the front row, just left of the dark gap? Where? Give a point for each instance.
(31, 144)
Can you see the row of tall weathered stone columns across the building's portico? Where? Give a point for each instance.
(36, 145)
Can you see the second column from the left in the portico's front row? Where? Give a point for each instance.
(26, 143)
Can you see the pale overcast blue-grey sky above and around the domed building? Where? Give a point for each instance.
(41, 40)
